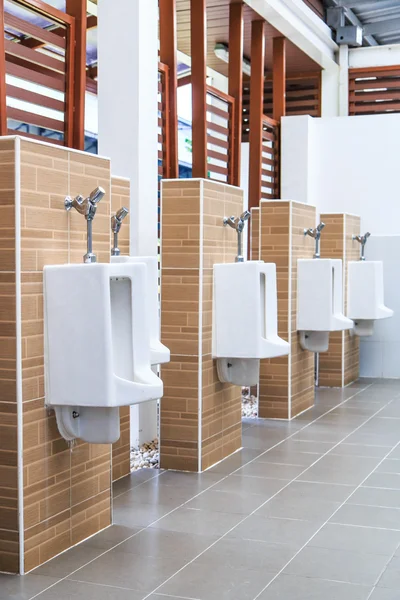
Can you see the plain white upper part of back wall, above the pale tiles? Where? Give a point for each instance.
(345, 164)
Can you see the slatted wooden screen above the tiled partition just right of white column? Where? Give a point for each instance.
(220, 124)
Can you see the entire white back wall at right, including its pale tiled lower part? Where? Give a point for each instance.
(351, 165)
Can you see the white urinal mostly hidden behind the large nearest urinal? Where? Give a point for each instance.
(159, 353)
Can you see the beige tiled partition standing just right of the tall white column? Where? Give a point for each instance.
(200, 417)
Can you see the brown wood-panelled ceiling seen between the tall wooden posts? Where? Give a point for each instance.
(218, 32)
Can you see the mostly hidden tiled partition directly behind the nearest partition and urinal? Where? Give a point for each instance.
(120, 192)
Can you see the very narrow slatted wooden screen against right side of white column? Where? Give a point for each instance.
(163, 143)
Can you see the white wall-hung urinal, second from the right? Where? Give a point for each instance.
(319, 302)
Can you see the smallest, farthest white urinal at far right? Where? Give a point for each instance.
(365, 298)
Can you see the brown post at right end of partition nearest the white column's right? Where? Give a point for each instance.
(236, 82)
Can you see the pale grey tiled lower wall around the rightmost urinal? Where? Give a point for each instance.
(380, 353)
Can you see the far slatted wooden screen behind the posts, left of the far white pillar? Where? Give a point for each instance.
(303, 97)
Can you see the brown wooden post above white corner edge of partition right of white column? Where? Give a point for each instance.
(198, 33)
